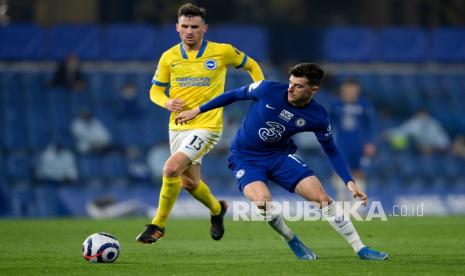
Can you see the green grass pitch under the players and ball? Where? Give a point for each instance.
(426, 245)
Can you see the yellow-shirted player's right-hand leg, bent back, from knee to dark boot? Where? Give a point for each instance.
(192, 183)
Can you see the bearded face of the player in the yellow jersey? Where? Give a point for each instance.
(191, 30)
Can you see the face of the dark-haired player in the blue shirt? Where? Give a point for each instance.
(300, 91)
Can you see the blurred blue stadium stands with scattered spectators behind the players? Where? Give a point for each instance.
(76, 121)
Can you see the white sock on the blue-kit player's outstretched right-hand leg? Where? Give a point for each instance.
(342, 224)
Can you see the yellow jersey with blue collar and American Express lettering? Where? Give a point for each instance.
(196, 77)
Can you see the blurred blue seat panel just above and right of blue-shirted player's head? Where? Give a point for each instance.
(350, 44)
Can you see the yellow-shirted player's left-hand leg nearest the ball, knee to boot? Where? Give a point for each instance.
(170, 189)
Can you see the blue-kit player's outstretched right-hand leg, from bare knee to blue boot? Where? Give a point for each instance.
(311, 189)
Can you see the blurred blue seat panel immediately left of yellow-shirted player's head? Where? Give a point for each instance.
(131, 42)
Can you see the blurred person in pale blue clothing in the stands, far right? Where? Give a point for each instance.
(425, 132)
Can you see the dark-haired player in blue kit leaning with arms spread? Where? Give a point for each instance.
(263, 150)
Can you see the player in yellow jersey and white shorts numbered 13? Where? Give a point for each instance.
(194, 70)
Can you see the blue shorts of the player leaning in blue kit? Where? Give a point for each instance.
(283, 168)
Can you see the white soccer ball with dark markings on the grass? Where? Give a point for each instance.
(100, 248)
